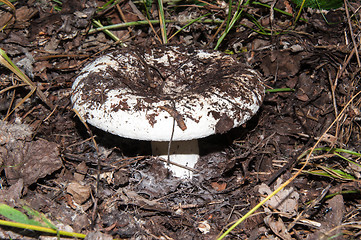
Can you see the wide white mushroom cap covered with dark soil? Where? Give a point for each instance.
(140, 93)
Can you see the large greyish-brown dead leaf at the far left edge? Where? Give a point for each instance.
(26, 159)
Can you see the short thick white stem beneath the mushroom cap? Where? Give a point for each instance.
(185, 153)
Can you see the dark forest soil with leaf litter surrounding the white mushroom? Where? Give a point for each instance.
(86, 180)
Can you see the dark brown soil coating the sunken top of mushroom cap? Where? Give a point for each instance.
(168, 73)
